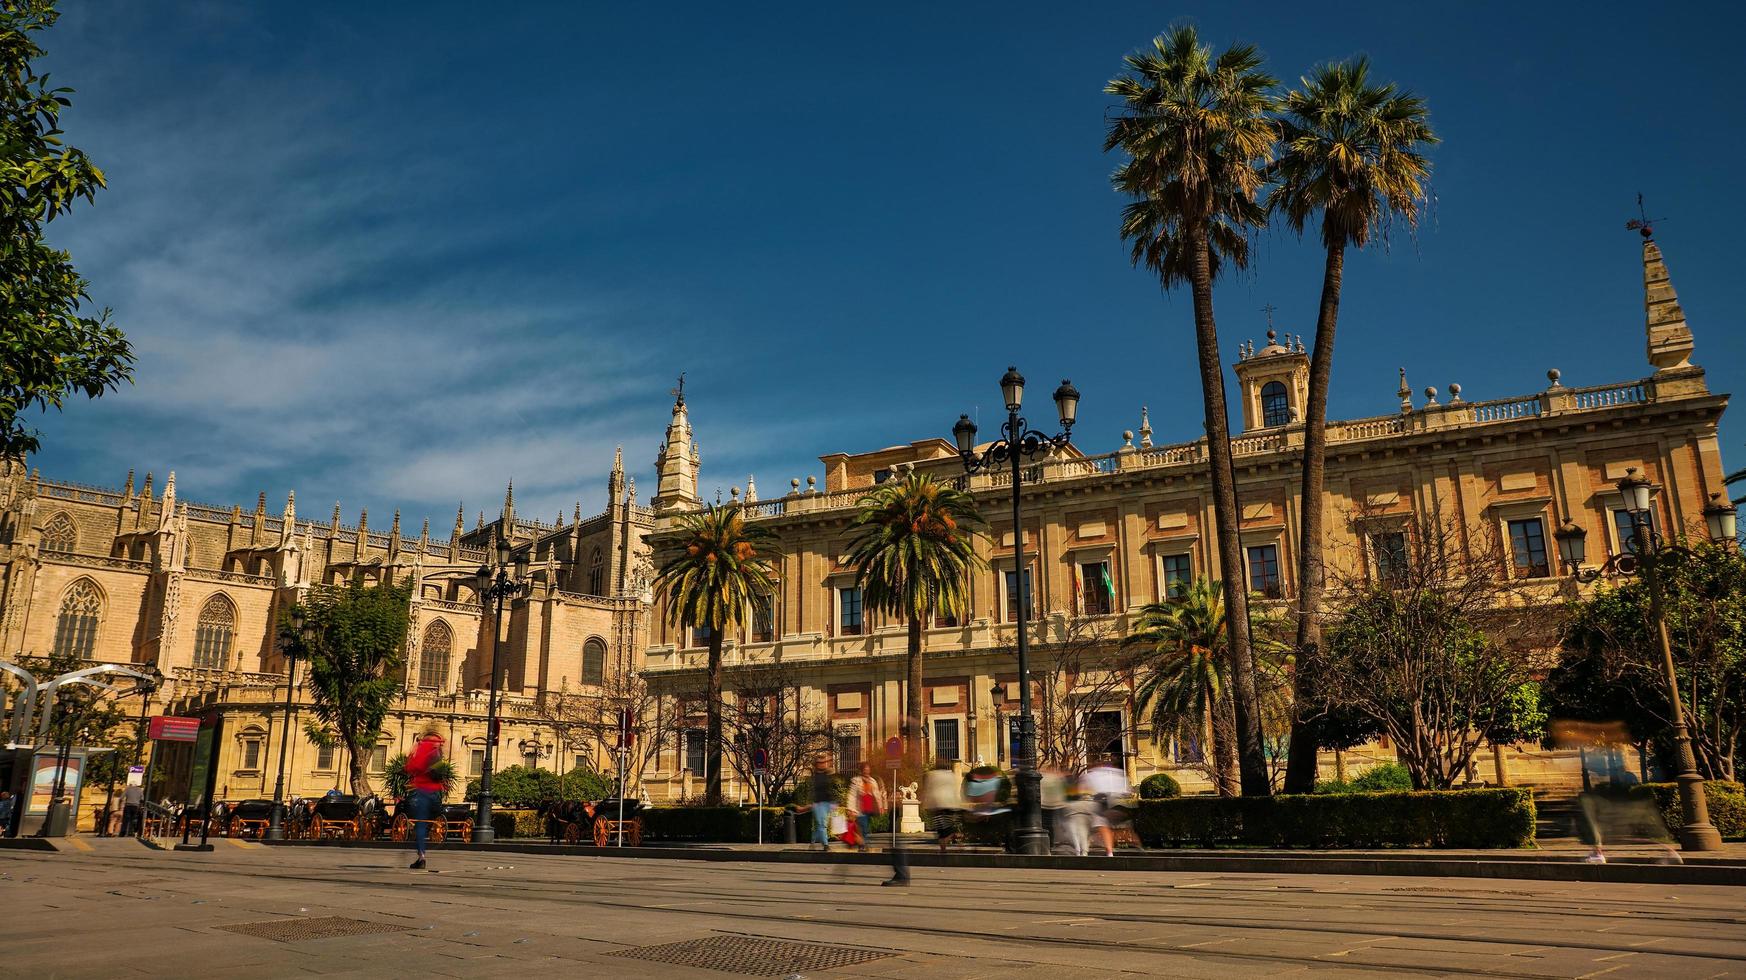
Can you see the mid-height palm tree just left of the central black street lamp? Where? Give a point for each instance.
(914, 548)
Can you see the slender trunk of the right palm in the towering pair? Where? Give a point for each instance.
(1302, 761)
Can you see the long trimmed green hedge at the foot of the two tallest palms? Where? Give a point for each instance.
(1455, 818)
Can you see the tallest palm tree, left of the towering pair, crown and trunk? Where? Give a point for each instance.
(1197, 132)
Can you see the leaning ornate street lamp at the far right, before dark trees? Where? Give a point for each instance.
(1644, 556)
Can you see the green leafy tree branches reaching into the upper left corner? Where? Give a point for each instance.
(52, 349)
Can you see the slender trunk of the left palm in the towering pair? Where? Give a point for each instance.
(1253, 761)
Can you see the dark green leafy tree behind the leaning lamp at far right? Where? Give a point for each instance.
(1612, 656)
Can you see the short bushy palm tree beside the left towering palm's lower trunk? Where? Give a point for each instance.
(1185, 679)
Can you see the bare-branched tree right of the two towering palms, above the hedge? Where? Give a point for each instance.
(1433, 638)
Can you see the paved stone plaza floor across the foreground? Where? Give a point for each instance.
(261, 913)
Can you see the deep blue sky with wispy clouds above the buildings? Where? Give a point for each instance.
(397, 254)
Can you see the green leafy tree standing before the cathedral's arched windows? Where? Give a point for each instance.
(355, 652)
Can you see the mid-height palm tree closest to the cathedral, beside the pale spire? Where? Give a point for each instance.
(724, 565)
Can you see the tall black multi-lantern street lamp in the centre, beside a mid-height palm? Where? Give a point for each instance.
(1021, 443)
